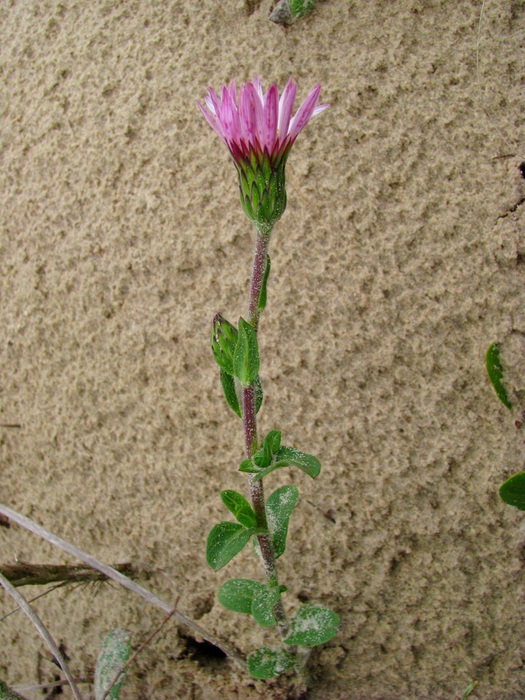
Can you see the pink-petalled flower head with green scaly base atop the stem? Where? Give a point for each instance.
(259, 131)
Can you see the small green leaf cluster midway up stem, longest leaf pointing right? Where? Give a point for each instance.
(272, 456)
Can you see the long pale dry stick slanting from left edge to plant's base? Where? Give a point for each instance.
(30, 525)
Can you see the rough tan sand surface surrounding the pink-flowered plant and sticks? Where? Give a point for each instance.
(398, 261)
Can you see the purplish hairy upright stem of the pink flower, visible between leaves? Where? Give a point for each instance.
(249, 419)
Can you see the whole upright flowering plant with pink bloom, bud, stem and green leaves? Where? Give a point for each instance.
(259, 131)
